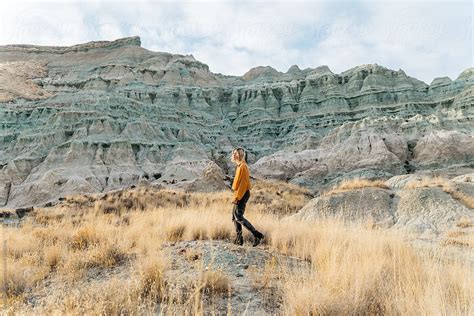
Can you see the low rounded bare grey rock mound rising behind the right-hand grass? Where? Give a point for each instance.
(422, 210)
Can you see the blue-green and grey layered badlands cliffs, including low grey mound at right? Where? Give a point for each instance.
(106, 115)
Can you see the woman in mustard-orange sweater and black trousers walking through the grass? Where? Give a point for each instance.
(241, 187)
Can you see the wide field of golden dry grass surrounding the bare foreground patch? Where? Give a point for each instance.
(353, 270)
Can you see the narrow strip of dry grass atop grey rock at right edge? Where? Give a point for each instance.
(446, 185)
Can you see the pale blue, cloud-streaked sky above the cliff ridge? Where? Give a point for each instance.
(427, 39)
